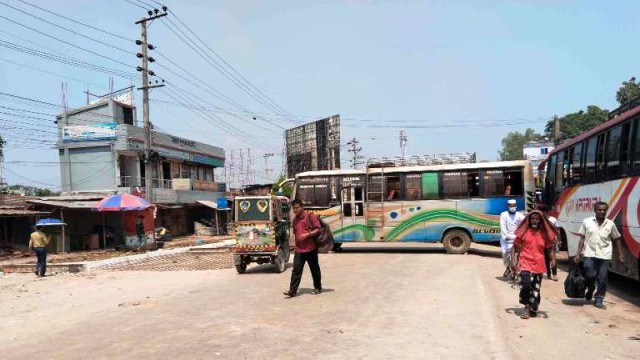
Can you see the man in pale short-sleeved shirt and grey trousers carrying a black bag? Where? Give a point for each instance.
(597, 235)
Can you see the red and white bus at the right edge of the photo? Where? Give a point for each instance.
(602, 164)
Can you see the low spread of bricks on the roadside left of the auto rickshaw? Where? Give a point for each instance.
(188, 261)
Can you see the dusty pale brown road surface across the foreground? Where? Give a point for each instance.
(406, 304)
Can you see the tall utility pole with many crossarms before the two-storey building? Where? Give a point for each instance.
(146, 86)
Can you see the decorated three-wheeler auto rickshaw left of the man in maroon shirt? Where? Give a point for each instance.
(261, 231)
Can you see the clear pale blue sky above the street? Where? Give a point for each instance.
(457, 76)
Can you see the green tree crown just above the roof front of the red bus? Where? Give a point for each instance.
(574, 124)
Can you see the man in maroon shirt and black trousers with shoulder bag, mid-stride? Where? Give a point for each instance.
(306, 227)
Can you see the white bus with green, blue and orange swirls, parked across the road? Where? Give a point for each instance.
(388, 202)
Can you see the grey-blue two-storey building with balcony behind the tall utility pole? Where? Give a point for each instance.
(101, 150)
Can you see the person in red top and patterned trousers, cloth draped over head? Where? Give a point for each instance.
(534, 237)
